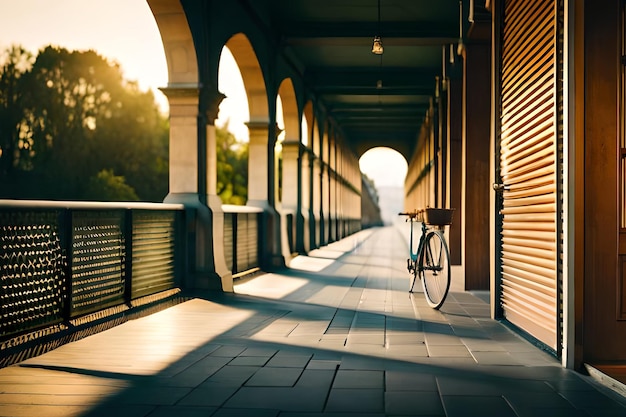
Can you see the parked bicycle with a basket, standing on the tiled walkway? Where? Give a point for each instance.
(431, 260)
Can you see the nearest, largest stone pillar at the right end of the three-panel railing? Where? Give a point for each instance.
(190, 139)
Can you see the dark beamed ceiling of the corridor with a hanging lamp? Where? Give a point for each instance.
(331, 41)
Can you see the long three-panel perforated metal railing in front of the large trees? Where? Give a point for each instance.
(63, 260)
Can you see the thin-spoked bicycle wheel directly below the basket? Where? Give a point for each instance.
(435, 269)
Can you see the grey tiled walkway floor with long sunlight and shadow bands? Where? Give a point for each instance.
(338, 335)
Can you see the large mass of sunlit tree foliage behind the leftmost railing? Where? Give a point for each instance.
(67, 117)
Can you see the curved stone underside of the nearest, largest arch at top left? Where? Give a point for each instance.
(180, 51)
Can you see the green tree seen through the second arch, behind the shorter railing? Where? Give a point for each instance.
(232, 168)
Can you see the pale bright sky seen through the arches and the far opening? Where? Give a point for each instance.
(125, 31)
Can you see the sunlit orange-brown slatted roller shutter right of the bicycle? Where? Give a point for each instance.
(528, 169)
